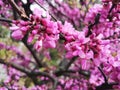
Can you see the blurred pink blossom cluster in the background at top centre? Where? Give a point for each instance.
(65, 12)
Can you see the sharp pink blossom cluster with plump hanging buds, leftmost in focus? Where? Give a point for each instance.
(43, 30)
